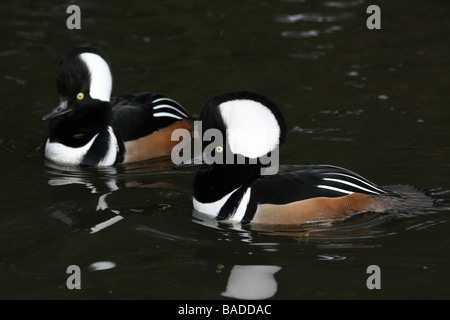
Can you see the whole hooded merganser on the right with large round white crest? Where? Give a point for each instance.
(254, 126)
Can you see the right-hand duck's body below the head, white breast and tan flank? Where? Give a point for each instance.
(296, 194)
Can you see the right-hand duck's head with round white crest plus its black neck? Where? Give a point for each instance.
(241, 133)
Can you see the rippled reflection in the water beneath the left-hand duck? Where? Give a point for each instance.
(70, 203)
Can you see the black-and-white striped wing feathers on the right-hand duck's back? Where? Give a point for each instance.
(347, 182)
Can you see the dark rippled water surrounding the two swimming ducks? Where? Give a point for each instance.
(374, 101)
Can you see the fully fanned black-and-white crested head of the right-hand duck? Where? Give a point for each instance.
(239, 127)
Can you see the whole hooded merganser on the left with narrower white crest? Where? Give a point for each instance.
(90, 128)
